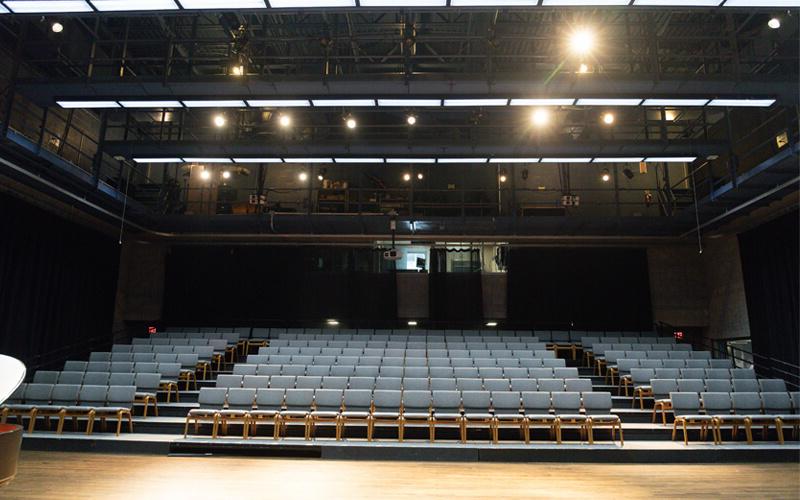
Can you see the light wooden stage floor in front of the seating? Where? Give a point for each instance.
(48, 475)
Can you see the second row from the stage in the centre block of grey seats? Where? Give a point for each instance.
(406, 383)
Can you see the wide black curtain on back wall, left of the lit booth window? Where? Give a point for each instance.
(257, 285)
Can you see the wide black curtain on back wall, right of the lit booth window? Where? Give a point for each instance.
(584, 288)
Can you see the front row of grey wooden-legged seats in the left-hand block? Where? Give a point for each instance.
(74, 401)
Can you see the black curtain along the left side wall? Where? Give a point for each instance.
(57, 283)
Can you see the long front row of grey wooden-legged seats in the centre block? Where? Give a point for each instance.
(416, 408)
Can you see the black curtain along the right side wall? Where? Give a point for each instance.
(770, 268)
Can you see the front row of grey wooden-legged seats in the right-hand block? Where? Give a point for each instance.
(704, 409)
